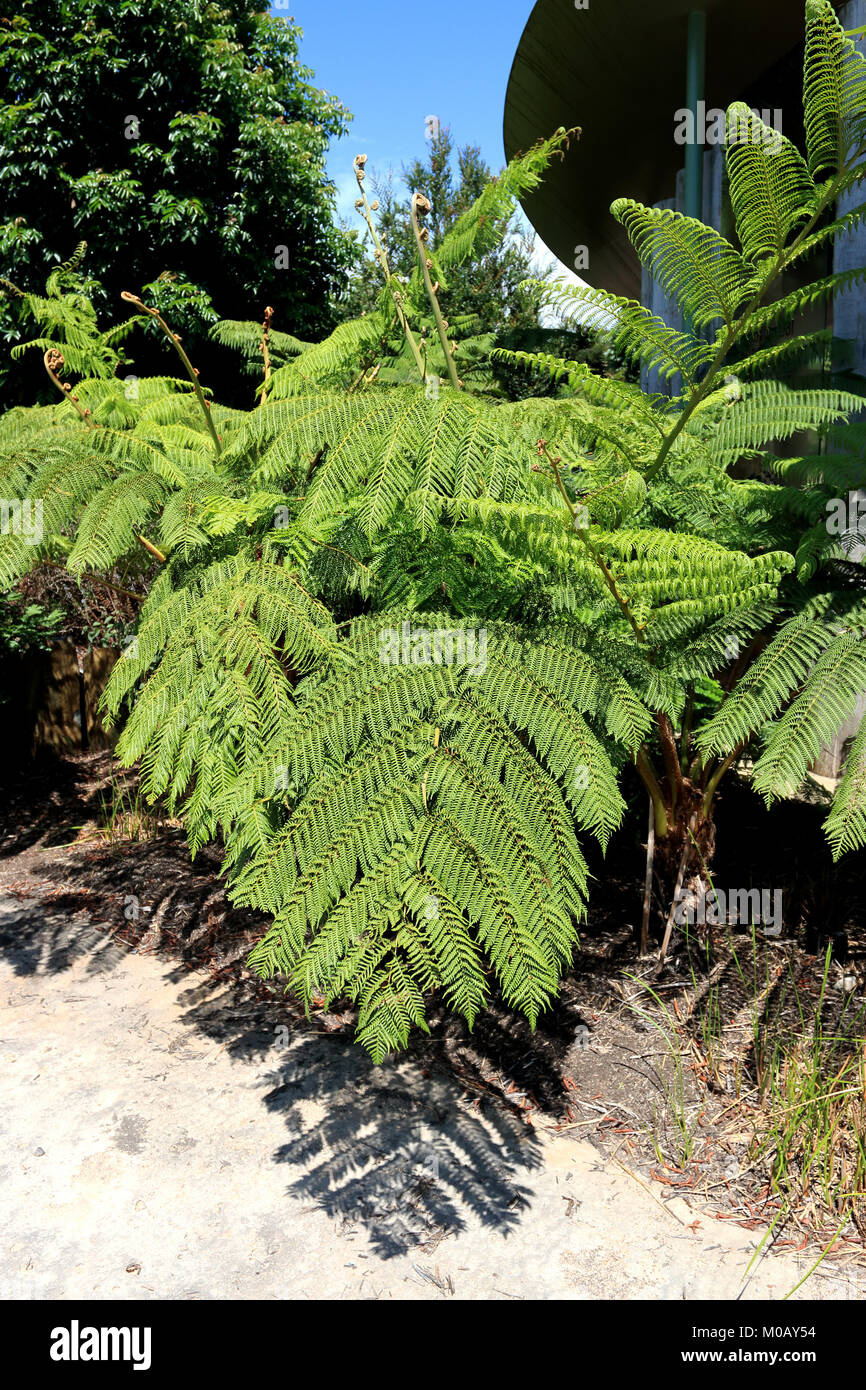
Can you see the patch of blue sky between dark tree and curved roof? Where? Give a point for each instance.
(394, 63)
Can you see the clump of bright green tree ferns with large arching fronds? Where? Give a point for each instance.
(402, 641)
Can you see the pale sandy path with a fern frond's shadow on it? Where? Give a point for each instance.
(165, 1140)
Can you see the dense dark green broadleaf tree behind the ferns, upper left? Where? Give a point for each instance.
(186, 144)
